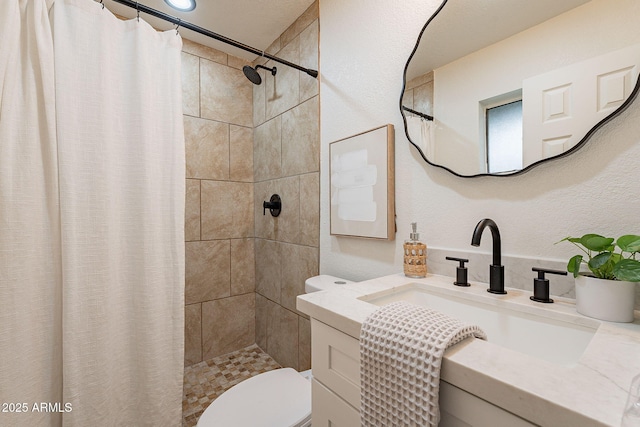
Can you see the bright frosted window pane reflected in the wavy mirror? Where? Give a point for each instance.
(504, 137)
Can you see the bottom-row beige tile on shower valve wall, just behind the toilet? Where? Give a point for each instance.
(282, 336)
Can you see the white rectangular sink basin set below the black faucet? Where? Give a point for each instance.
(546, 338)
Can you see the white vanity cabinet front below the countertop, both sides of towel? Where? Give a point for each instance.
(335, 358)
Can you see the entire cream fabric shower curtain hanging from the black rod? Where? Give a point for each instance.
(91, 218)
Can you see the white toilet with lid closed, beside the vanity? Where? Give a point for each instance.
(279, 398)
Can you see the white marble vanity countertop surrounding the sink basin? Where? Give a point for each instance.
(591, 392)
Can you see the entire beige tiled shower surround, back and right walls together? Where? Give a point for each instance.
(243, 269)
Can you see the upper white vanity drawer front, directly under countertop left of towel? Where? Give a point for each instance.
(335, 361)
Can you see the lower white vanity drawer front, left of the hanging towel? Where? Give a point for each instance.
(329, 410)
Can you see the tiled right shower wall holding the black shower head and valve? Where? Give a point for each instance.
(286, 162)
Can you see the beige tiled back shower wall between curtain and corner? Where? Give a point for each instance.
(219, 220)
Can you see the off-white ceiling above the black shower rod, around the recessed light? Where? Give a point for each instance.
(256, 23)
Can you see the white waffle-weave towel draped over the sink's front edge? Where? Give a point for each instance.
(401, 348)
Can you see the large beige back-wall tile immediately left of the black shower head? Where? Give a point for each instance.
(225, 94)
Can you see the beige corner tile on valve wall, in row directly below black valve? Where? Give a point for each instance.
(268, 270)
